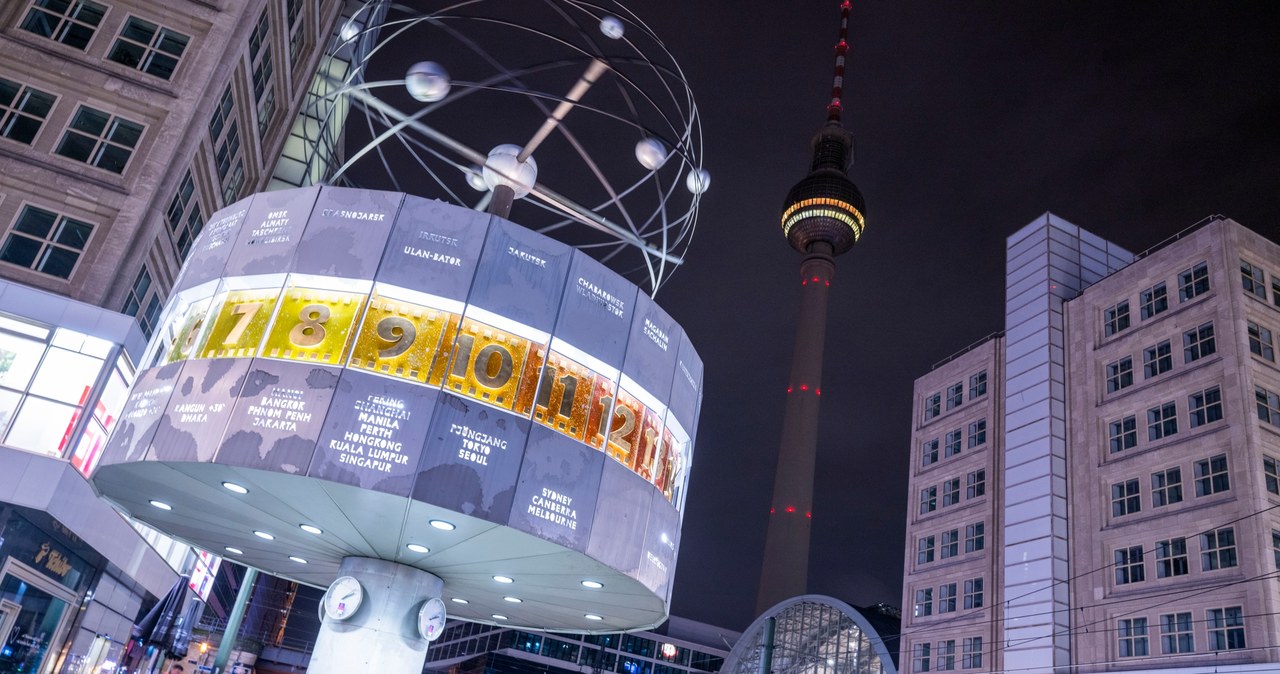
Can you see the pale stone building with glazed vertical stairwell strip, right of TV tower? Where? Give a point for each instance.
(1133, 480)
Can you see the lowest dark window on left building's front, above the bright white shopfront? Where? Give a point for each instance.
(47, 242)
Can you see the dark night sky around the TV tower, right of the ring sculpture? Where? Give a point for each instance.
(1131, 120)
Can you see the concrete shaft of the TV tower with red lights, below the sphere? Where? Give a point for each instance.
(785, 572)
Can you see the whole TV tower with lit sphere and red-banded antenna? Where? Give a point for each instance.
(822, 218)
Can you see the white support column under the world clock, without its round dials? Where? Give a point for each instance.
(382, 635)
